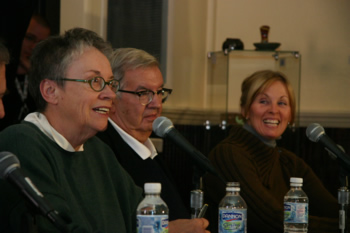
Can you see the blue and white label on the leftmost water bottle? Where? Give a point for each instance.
(152, 223)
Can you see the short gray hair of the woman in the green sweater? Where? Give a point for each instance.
(52, 57)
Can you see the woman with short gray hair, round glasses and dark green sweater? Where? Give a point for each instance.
(72, 83)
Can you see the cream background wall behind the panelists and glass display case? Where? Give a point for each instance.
(318, 29)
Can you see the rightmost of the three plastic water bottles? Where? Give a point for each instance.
(296, 207)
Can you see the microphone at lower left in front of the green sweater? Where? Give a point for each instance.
(10, 170)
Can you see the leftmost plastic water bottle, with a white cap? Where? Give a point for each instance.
(152, 212)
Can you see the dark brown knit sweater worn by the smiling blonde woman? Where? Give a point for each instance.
(264, 172)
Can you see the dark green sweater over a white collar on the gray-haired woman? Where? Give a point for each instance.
(89, 189)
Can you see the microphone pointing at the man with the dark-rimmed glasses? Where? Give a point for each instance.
(163, 127)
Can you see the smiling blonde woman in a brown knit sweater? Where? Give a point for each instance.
(250, 156)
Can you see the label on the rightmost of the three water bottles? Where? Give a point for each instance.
(295, 212)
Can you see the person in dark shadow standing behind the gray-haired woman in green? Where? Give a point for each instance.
(19, 102)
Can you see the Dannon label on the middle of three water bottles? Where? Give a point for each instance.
(232, 220)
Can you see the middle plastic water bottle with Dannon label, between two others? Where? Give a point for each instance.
(232, 211)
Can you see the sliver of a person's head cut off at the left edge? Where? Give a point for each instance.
(4, 59)
